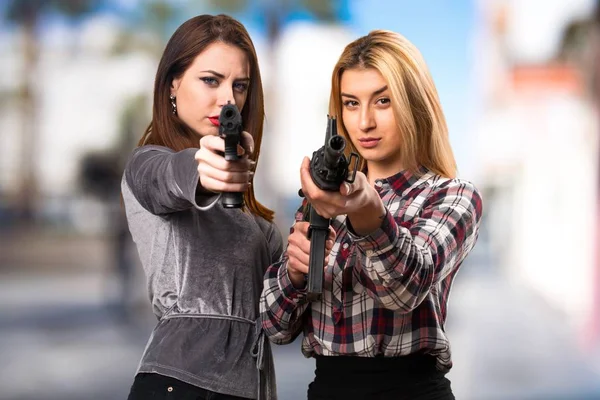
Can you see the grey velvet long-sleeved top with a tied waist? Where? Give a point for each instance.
(204, 269)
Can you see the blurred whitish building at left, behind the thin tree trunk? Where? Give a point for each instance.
(79, 108)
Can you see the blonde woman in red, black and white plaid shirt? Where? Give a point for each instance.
(402, 230)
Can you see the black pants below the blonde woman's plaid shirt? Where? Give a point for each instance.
(412, 377)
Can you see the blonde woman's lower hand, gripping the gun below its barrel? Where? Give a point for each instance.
(298, 252)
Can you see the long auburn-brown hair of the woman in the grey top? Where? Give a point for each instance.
(189, 40)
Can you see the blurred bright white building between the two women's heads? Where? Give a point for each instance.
(298, 104)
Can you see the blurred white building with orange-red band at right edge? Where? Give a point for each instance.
(538, 146)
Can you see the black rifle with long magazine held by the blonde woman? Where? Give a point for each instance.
(328, 170)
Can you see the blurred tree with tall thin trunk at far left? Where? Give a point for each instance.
(27, 14)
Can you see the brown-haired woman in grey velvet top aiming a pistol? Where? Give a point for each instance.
(204, 263)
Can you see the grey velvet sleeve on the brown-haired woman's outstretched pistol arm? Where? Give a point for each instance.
(164, 181)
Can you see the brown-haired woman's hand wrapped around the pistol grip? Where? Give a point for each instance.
(219, 175)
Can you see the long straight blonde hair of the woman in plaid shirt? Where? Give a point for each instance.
(415, 100)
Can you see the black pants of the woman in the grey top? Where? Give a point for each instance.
(160, 387)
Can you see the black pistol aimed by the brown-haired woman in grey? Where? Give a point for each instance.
(230, 129)
